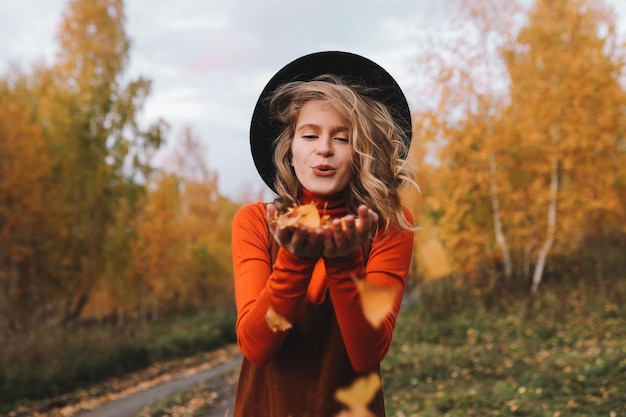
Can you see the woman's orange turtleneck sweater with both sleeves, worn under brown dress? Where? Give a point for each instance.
(292, 281)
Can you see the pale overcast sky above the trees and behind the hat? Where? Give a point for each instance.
(210, 59)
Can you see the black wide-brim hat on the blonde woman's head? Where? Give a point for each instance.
(354, 69)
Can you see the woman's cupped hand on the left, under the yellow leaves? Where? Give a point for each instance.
(297, 240)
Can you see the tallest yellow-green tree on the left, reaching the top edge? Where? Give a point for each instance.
(98, 154)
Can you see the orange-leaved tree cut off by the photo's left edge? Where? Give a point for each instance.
(23, 168)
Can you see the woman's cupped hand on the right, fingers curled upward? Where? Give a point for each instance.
(348, 234)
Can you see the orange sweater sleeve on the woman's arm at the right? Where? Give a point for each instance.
(387, 266)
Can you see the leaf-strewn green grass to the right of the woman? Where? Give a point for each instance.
(562, 353)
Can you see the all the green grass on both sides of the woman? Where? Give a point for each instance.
(456, 352)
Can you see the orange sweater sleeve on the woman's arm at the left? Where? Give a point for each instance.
(259, 287)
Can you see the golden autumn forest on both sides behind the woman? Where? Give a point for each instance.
(519, 150)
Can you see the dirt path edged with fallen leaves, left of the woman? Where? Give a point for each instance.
(211, 375)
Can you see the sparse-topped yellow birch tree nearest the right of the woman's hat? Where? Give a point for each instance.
(470, 90)
